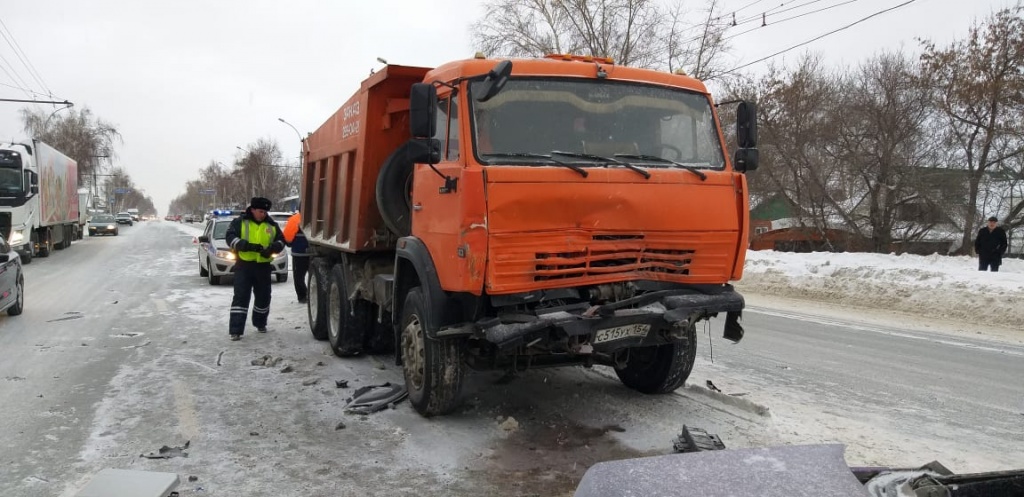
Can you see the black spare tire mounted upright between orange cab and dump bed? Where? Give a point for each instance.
(395, 184)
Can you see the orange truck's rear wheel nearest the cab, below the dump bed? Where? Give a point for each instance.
(350, 319)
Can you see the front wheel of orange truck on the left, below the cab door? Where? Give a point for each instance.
(434, 368)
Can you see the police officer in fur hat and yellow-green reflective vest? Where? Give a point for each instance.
(255, 238)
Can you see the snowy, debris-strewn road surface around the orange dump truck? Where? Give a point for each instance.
(259, 431)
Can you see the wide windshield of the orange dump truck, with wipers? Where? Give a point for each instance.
(596, 117)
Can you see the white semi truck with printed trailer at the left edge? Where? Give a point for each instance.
(39, 200)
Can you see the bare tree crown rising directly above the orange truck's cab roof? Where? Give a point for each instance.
(637, 33)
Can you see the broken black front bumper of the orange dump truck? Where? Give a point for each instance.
(650, 319)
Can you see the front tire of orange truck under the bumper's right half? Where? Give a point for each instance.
(661, 369)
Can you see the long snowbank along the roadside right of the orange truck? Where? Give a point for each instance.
(935, 286)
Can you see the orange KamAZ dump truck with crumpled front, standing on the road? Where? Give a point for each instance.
(505, 216)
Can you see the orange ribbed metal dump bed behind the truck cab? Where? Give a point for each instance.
(344, 158)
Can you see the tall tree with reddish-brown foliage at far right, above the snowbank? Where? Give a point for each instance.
(979, 89)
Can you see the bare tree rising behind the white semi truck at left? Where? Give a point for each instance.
(76, 134)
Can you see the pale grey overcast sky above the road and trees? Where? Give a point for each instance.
(186, 82)
